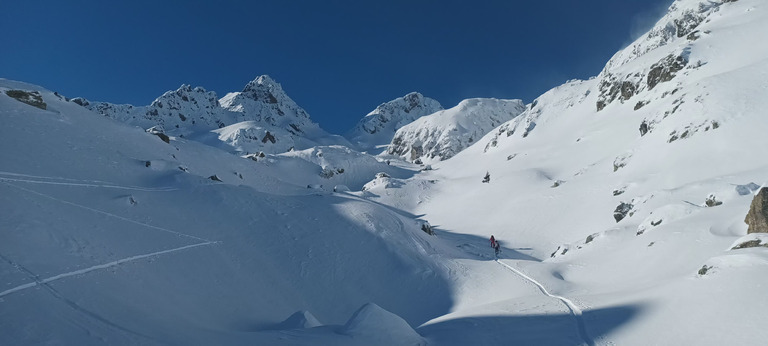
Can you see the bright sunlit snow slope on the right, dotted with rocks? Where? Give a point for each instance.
(644, 283)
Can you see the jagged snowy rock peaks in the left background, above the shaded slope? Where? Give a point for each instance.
(239, 120)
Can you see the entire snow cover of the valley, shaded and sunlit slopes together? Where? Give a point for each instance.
(109, 235)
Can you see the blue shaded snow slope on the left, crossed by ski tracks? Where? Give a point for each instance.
(192, 260)
